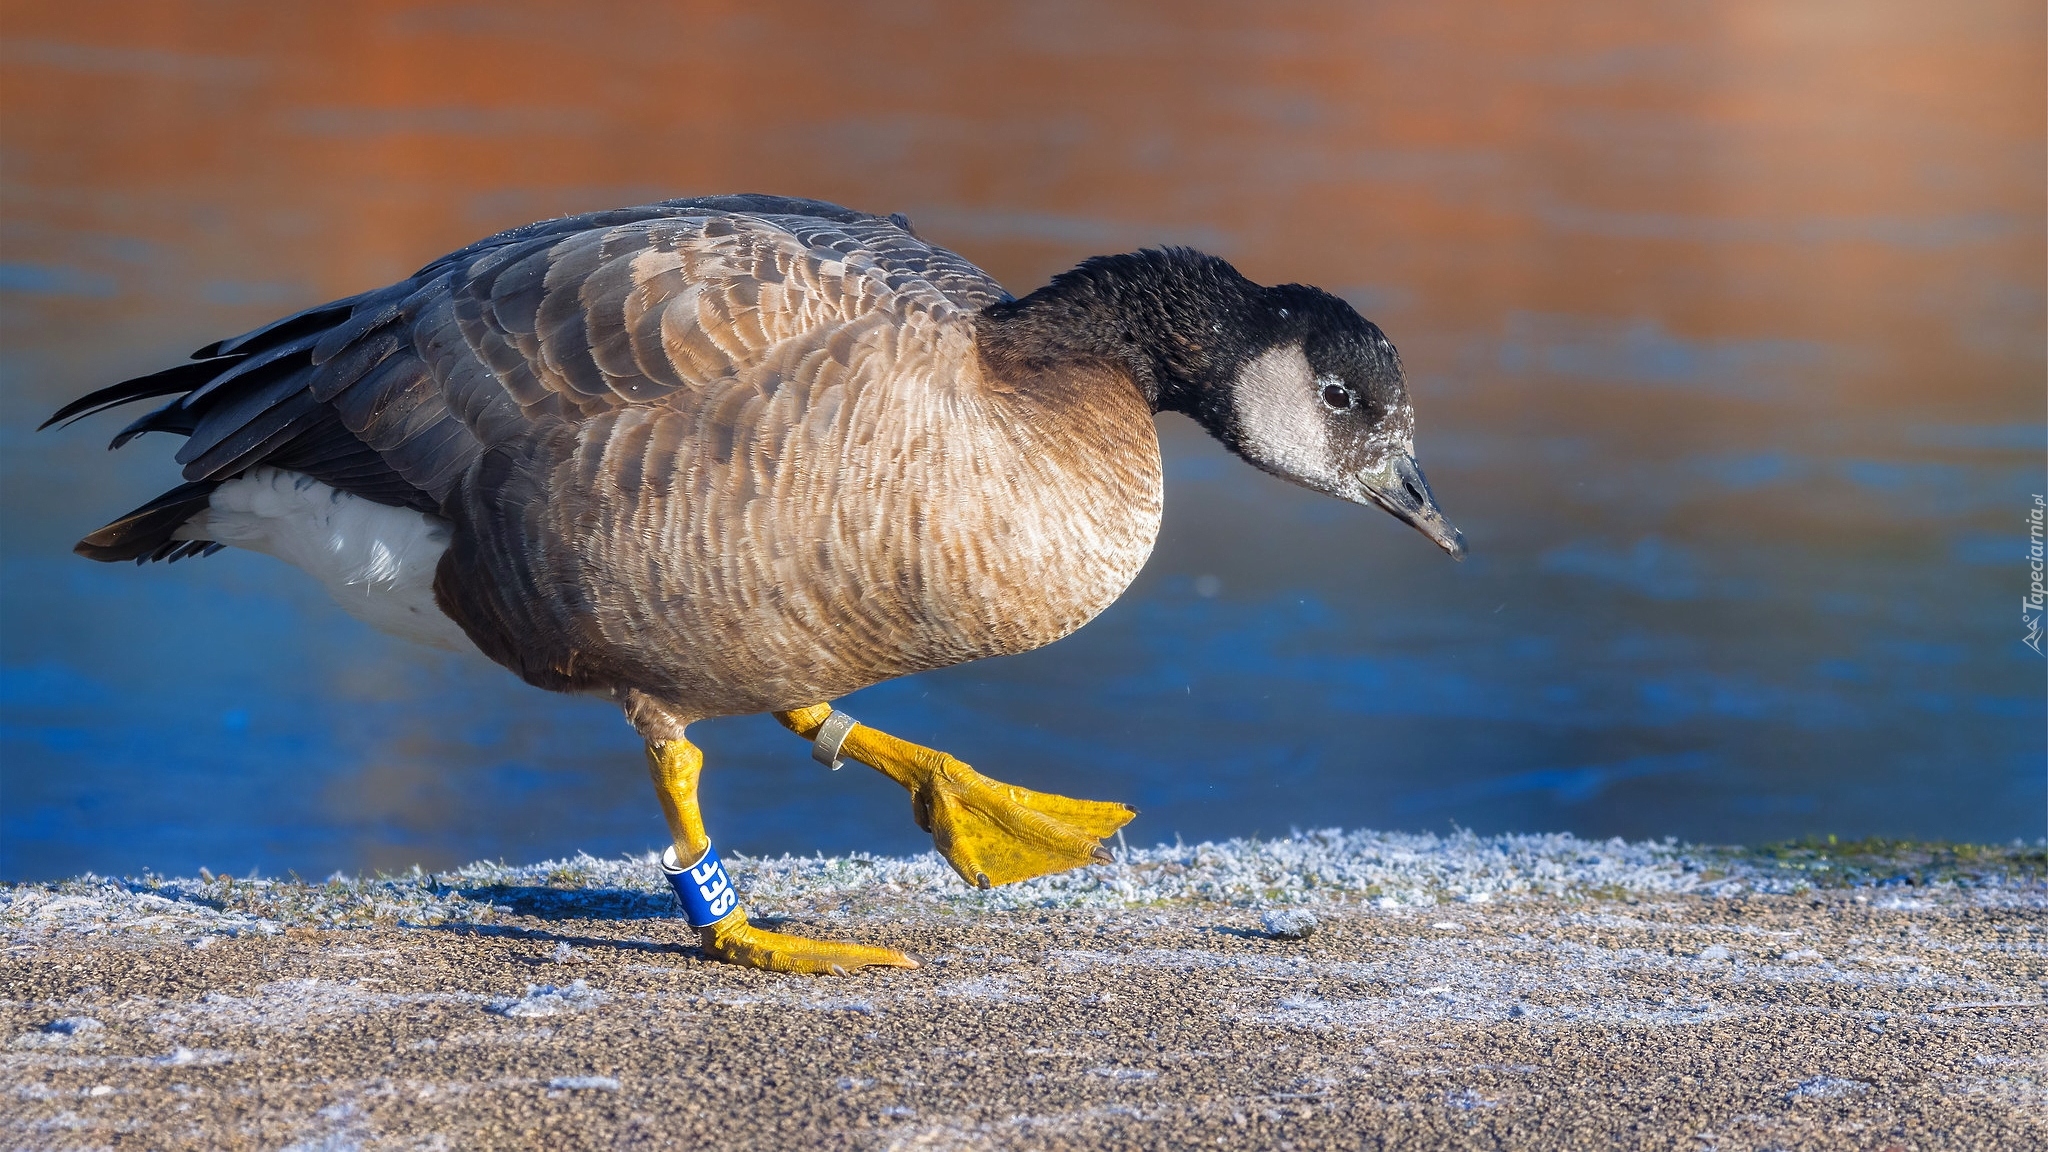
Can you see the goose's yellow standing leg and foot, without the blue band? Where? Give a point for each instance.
(675, 768)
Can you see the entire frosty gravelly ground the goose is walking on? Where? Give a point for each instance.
(1326, 991)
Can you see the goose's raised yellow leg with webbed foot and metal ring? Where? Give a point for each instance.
(988, 831)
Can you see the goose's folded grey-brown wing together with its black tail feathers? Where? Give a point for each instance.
(394, 395)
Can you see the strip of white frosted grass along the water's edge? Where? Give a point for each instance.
(1385, 870)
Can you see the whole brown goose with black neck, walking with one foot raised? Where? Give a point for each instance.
(749, 454)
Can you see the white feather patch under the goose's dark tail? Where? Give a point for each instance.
(376, 561)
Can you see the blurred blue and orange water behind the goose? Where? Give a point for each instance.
(1725, 327)
